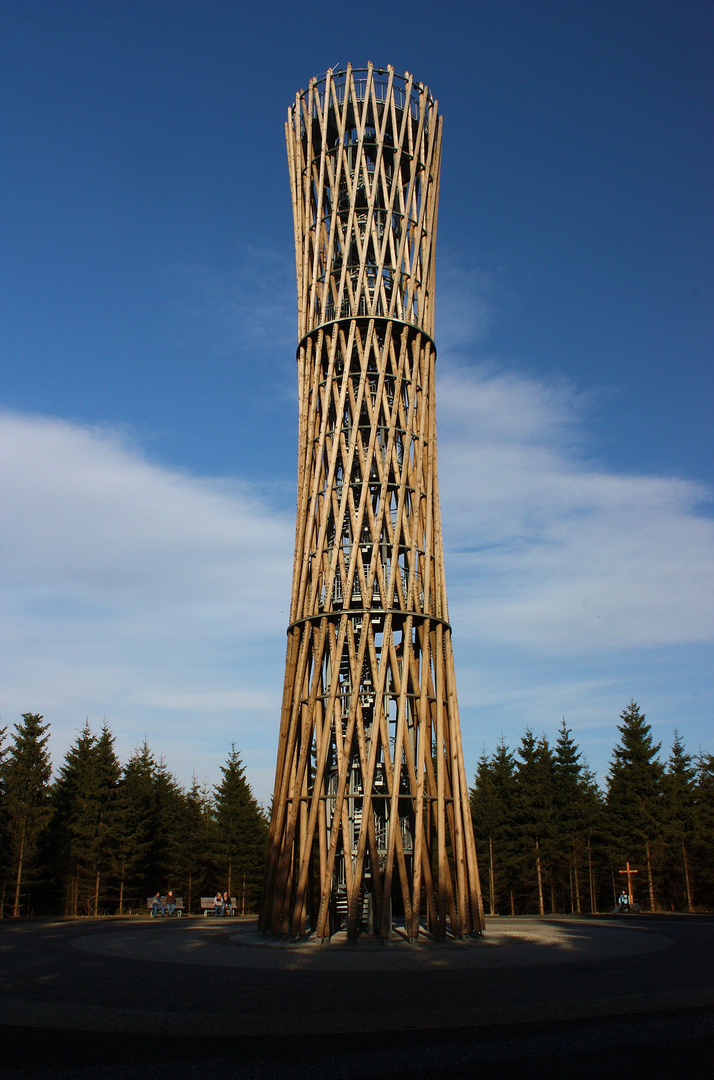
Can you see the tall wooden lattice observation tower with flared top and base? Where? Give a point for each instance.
(371, 813)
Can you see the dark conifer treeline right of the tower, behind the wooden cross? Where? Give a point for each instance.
(550, 841)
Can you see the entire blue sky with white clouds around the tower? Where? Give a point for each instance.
(147, 343)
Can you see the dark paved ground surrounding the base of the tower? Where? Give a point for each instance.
(137, 998)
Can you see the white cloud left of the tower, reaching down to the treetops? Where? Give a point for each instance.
(140, 592)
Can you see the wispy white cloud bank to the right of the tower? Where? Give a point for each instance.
(554, 552)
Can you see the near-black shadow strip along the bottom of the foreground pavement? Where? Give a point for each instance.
(663, 1047)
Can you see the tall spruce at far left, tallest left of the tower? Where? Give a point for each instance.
(25, 779)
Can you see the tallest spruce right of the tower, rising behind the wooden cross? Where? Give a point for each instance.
(634, 796)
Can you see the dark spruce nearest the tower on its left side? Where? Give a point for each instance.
(243, 833)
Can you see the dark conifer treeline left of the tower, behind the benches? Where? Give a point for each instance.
(102, 838)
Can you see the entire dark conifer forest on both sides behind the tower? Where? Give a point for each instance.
(99, 838)
